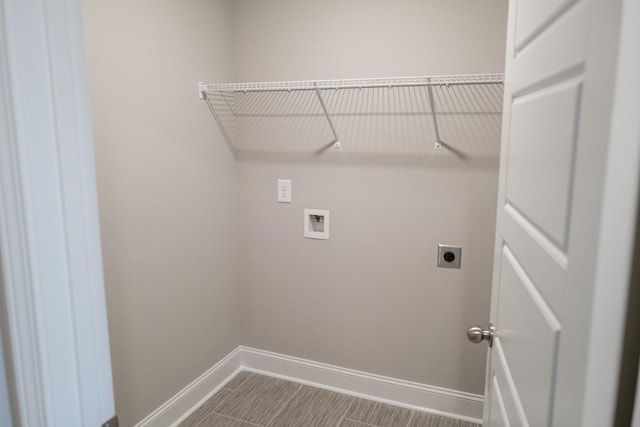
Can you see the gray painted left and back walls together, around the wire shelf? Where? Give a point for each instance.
(200, 258)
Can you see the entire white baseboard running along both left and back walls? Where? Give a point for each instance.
(436, 400)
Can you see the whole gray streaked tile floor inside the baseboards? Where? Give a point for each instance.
(250, 400)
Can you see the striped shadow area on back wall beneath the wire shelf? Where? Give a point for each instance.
(375, 125)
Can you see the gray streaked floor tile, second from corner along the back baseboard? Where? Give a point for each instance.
(313, 407)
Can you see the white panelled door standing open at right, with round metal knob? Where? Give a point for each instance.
(561, 66)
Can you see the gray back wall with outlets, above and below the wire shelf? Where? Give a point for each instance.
(371, 297)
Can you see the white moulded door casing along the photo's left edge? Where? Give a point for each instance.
(49, 234)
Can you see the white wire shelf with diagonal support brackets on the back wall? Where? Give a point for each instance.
(374, 114)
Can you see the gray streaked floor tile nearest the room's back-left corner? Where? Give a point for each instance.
(258, 399)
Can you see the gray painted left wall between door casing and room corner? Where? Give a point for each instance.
(166, 193)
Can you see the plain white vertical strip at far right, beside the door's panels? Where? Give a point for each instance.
(617, 232)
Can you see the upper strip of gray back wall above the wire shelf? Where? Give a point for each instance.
(314, 39)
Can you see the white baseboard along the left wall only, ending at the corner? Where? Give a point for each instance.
(189, 398)
